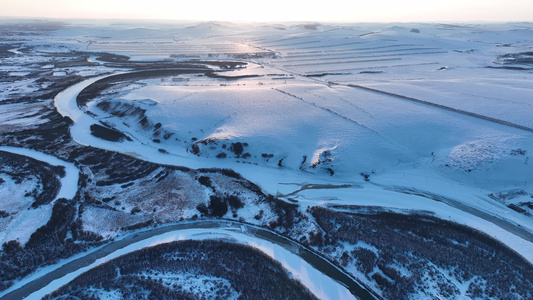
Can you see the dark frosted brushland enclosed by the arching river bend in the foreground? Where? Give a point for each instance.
(189, 270)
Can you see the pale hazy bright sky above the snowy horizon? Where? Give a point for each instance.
(277, 10)
